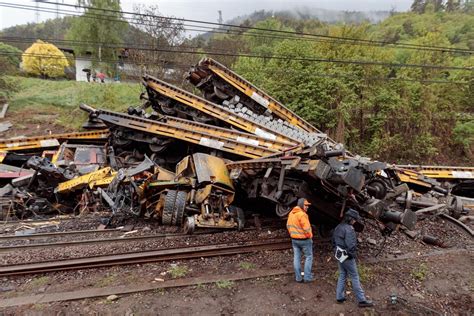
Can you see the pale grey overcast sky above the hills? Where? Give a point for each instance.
(206, 10)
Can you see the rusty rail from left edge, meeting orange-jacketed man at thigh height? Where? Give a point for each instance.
(145, 257)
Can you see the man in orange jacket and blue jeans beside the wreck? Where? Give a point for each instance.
(301, 238)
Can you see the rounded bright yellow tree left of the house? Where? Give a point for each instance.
(45, 60)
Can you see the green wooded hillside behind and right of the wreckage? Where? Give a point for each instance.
(404, 114)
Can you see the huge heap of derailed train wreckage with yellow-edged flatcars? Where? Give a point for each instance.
(235, 149)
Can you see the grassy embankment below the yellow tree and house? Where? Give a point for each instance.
(49, 104)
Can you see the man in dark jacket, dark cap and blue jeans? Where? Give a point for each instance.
(345, 238)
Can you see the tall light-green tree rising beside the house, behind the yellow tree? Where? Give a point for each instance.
(99, 35)
